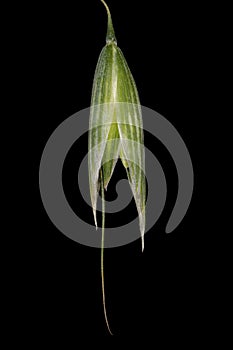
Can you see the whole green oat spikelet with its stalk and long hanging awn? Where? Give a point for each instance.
(115, 130)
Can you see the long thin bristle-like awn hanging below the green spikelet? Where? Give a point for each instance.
(102, 250)
